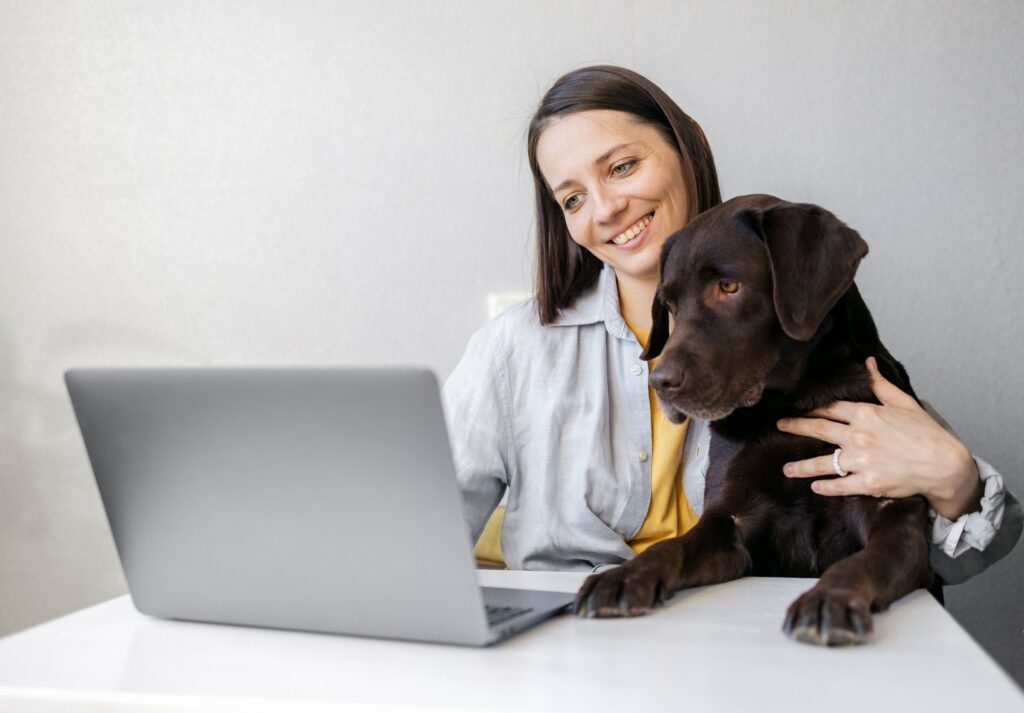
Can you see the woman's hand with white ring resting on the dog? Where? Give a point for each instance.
(893, 450)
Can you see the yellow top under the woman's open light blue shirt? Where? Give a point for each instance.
(670, 514)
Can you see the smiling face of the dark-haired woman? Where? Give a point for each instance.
(620, 186)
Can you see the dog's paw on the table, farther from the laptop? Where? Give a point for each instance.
(829, 618)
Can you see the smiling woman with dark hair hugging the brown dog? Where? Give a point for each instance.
(551, 401)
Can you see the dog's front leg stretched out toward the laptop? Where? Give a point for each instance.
(713, 552)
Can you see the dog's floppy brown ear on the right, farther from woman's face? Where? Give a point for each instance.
(814, 258)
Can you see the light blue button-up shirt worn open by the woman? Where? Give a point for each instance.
(560, 416)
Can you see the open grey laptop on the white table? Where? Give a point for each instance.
(312, 499)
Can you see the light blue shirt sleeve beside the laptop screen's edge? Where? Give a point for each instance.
(476, 401)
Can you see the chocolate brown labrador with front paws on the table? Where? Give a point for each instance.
(770, 324)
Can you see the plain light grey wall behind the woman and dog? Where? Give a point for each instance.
(340, 184)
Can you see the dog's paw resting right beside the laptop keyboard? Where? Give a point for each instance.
(626, 592)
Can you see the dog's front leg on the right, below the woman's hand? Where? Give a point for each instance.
(838, 610)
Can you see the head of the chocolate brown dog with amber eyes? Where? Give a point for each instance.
(742, 283)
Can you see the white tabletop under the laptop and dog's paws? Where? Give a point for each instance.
(713, 649)
